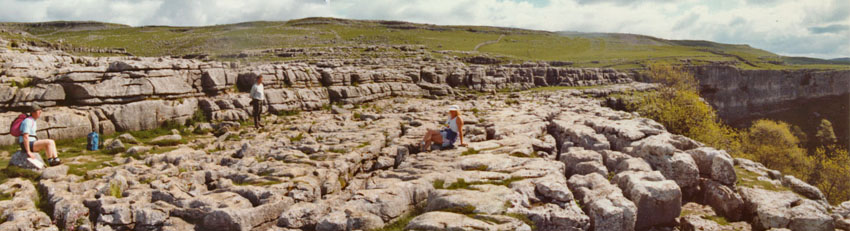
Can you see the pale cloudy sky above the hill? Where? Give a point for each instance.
(814, 28)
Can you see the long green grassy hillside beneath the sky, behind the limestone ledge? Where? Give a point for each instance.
(514, 45)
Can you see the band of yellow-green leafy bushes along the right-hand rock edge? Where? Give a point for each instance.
(678, 106)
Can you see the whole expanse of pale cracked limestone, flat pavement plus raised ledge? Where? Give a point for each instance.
(547, 160)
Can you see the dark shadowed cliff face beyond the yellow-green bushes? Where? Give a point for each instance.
(737, 93)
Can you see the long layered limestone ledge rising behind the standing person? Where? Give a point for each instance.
(109, 94)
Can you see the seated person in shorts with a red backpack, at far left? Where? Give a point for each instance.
(31, 144)
